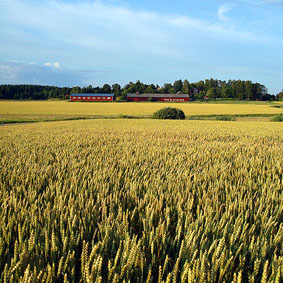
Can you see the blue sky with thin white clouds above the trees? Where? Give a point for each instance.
(89, 42)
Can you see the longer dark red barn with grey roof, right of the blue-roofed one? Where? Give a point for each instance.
(165, 97)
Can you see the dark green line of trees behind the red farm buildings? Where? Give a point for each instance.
(210, 89)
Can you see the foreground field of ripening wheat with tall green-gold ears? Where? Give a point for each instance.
(141, 201)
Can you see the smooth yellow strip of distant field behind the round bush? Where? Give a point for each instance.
(28, 109)
